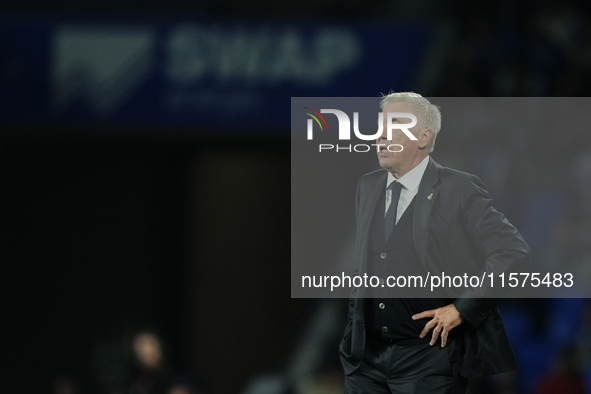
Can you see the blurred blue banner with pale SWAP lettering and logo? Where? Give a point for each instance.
(200, 72)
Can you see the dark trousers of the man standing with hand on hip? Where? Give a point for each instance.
(417, 369)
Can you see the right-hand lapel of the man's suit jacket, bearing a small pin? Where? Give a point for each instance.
(424, 202)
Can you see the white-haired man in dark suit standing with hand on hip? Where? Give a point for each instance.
(418, 217)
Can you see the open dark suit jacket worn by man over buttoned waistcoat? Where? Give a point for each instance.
(457, 225)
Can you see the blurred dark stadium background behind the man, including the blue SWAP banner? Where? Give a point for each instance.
(145, 194)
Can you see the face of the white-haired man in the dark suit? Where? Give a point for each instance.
(403, 161)
